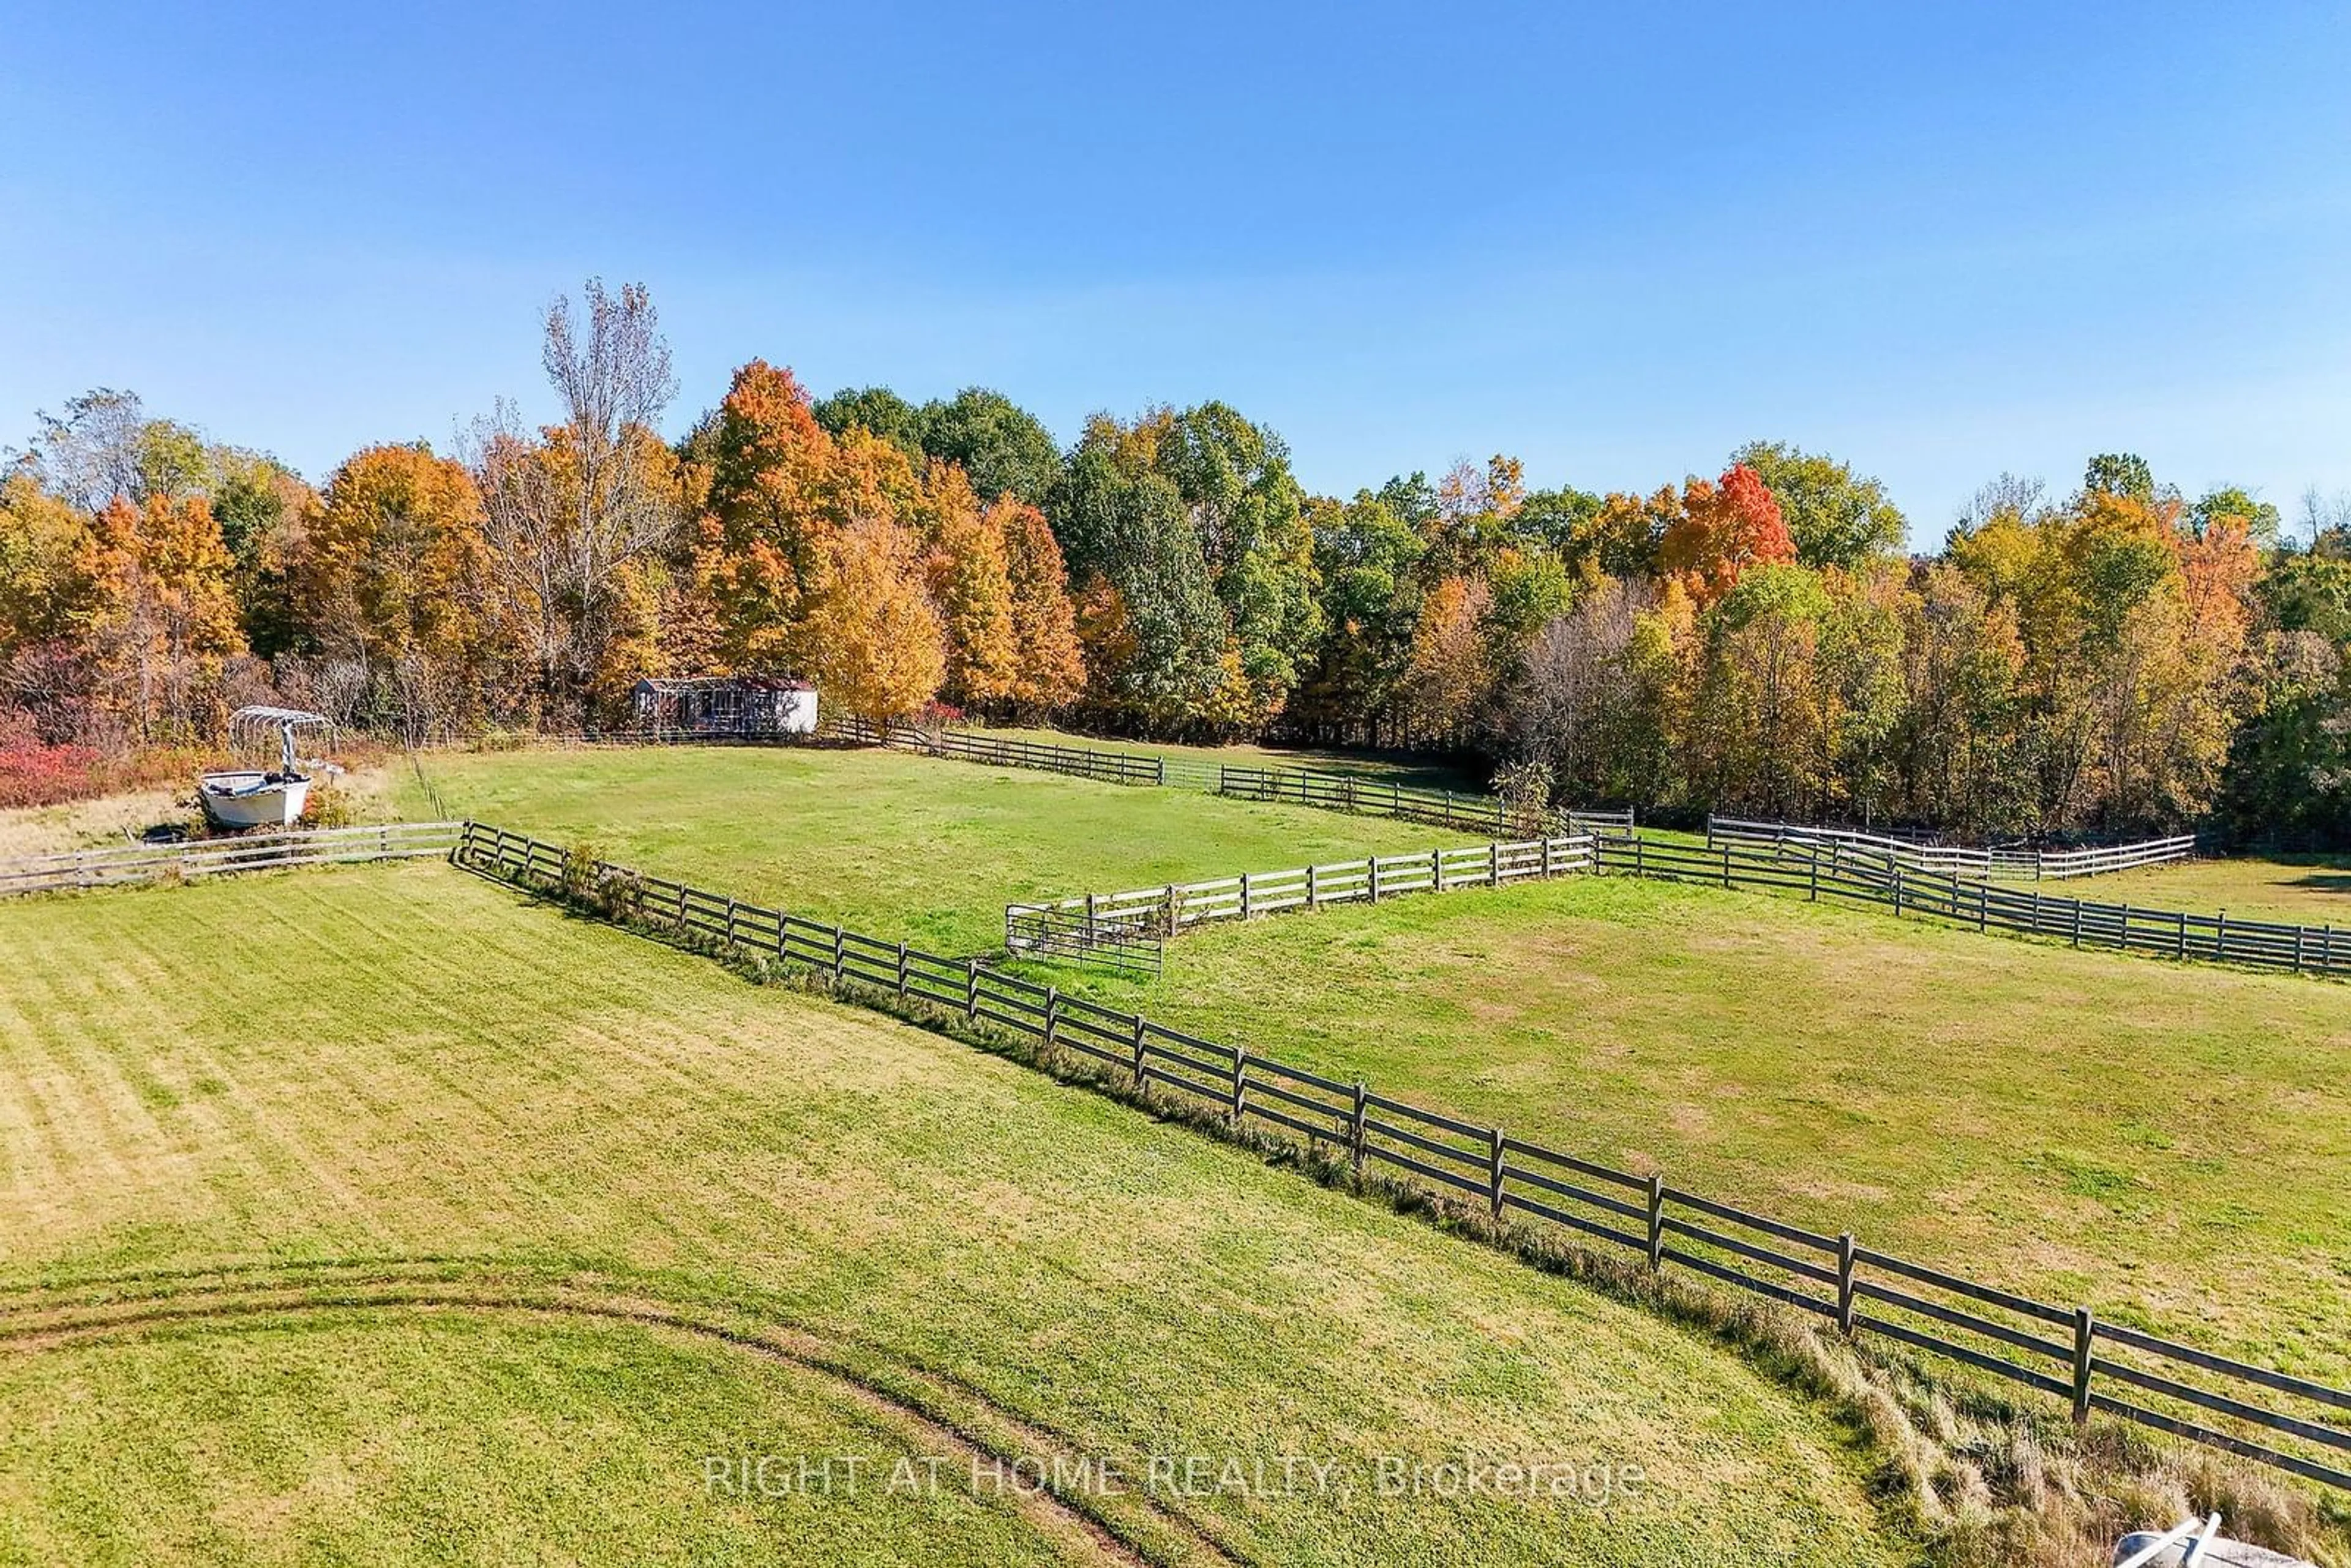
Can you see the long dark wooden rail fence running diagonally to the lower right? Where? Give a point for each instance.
(2063, 1353)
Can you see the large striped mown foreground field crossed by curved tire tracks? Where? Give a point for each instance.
(384, 1217)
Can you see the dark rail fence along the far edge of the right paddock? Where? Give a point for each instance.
(1882, 880)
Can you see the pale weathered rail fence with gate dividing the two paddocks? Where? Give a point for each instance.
(1170, 911)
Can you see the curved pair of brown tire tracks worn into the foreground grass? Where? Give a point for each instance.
(239, 1296)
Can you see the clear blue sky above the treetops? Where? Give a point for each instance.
(1609, 241)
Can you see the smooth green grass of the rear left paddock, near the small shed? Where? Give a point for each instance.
(890, 843)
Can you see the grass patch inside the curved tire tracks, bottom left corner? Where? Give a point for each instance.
(406, 1438)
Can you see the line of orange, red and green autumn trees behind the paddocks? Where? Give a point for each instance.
(2108, 659)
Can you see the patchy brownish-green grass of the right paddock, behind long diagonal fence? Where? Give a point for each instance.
(2162, 1141)
